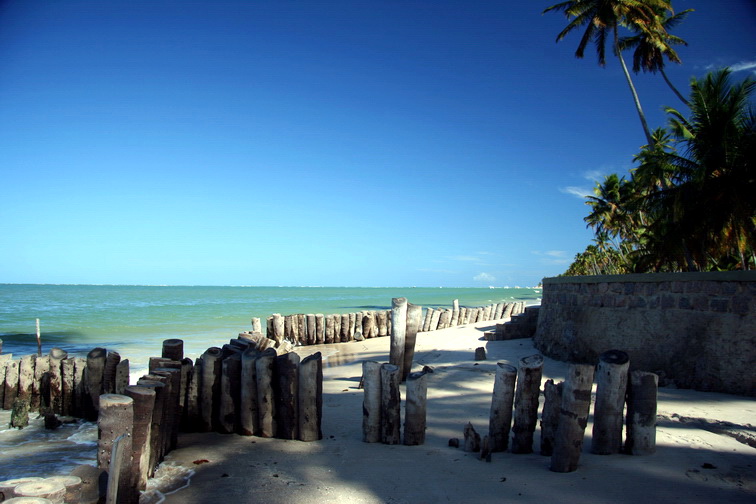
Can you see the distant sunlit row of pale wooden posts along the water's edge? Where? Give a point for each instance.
(313, 329)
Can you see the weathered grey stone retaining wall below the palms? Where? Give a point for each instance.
(697, 330)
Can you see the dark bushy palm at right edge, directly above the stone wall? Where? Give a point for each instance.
(714, 202)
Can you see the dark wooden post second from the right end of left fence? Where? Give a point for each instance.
(285, 389)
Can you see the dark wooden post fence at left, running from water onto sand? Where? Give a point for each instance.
(250, 386)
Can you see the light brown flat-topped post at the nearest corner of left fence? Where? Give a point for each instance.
(116, 421)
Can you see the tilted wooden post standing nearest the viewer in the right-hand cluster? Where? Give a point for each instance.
(573, 418)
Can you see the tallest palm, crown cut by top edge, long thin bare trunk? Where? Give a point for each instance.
(602, 18)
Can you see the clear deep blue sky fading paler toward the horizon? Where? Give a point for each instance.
(349, 143)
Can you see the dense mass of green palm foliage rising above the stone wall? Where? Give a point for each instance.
(689, 204)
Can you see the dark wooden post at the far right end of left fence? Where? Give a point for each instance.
(310, 397)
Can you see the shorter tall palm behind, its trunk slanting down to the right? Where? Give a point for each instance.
(651, 48)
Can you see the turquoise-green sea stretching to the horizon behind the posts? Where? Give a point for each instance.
(134, 320)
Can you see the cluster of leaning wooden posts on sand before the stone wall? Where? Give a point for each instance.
(514, 407)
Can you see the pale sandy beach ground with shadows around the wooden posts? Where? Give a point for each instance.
(698, 459)
